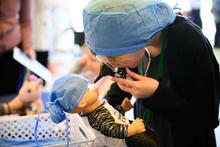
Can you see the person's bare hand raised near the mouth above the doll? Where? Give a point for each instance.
(139, 87)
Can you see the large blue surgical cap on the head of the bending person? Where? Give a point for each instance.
(116, 27)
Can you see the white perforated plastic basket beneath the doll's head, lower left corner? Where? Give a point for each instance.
(20, 131)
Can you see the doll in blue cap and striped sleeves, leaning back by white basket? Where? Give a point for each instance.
(71, 93)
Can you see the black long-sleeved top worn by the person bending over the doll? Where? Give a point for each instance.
(185, 105)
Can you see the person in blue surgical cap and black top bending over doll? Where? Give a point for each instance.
(173, 72)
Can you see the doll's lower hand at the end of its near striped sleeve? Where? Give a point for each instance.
(136, 127)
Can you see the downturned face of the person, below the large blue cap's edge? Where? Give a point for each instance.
(130, 60)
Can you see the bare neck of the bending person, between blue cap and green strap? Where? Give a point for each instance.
(154, 46)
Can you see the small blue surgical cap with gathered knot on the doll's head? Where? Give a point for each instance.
(65, 95)
